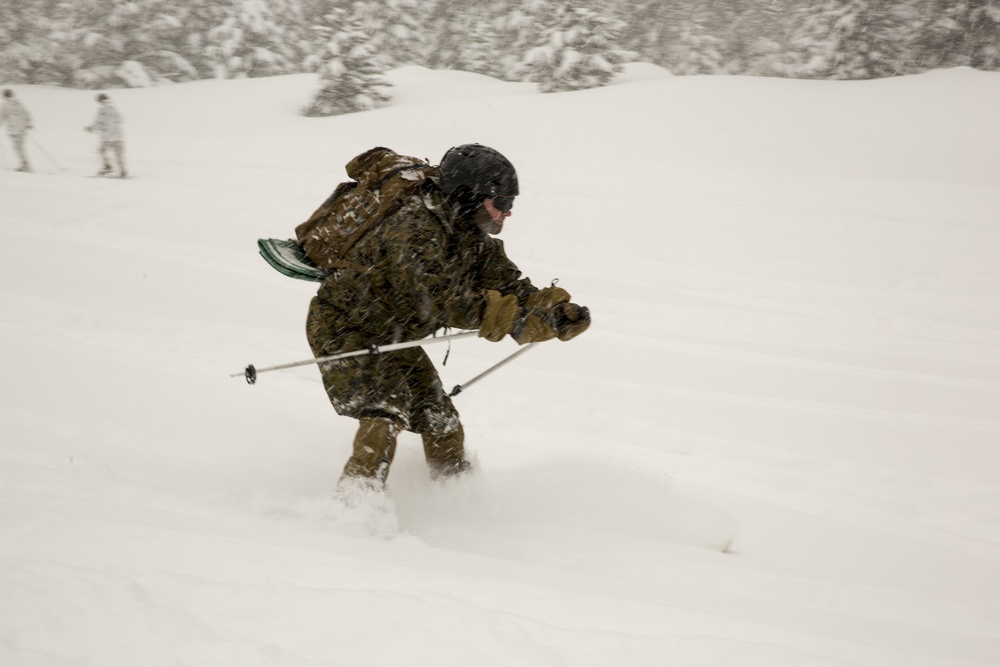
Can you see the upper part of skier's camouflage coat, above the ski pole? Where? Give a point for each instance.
(428, 268)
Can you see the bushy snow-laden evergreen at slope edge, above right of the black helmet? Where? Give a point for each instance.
(577, 48)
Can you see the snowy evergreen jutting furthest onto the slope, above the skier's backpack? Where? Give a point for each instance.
(350, 78)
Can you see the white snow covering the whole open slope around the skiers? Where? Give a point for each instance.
(796, 346)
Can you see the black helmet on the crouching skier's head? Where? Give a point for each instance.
(479, 171)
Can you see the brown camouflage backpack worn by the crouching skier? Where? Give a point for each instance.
(383, 180)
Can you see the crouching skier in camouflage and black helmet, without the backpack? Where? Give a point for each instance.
(431, 264)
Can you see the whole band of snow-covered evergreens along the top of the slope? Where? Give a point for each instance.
(559, 44)
